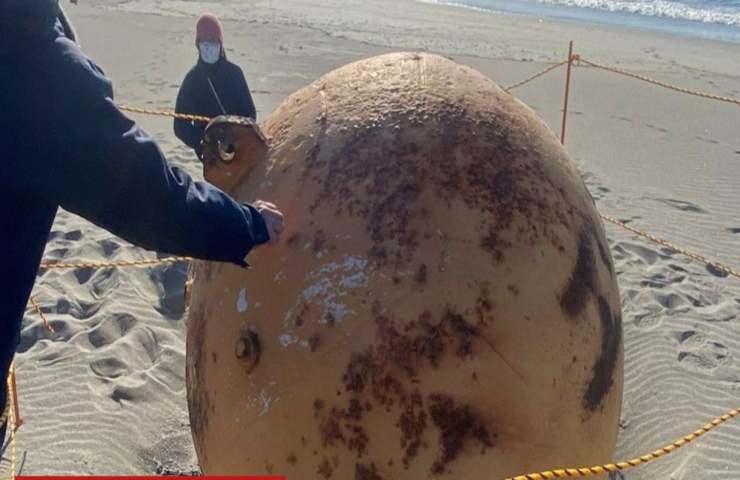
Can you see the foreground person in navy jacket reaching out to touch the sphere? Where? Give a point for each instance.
(64, 143)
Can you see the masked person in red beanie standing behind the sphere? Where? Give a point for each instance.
(214, 86)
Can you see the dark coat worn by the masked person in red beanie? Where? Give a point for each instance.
(196, 97)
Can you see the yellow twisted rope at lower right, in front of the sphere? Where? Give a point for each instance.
(613, 467)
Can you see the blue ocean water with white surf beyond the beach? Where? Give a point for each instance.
(710, 19)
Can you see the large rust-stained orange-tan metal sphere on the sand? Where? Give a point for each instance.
(442, 304)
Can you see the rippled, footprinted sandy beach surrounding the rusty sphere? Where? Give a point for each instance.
(105, 394)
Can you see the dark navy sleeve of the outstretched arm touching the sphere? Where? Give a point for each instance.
(113, 174)
